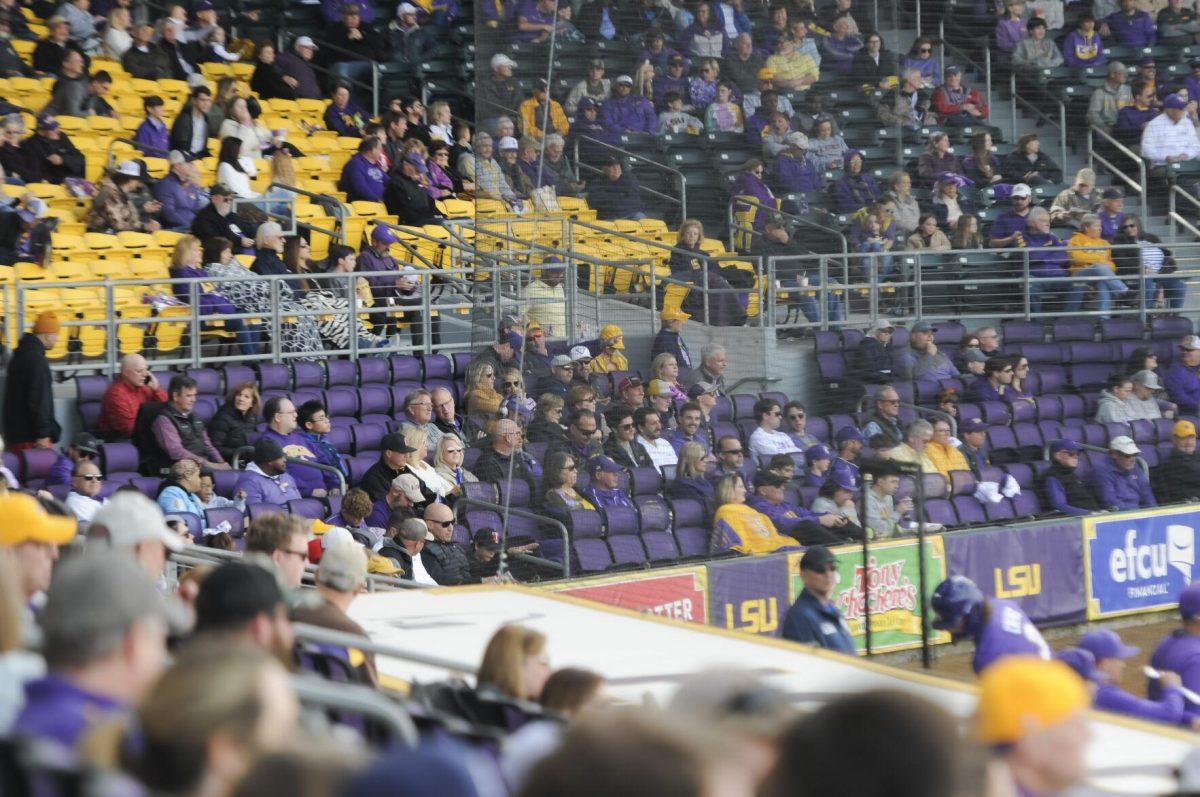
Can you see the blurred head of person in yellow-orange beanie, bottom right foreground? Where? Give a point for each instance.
(1033, 715)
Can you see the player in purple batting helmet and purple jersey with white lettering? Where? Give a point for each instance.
(998, 627)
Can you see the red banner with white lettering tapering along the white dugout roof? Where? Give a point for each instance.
(679, 594)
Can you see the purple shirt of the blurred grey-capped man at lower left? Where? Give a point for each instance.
(59, 711)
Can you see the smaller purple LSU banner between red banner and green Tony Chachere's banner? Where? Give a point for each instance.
(749, 595)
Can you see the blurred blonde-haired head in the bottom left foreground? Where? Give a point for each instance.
(206, 723)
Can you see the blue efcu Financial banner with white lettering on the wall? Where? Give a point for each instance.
(1139, 562)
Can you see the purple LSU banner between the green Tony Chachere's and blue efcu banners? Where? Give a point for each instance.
(1039, 567)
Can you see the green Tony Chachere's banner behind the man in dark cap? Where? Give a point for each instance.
(892, 591)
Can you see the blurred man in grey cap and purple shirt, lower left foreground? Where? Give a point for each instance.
(105, 644)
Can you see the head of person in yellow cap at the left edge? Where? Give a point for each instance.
(34, 537)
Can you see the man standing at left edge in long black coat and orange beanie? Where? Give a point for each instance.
(29, 399)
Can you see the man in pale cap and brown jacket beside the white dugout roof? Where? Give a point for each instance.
(341, 578)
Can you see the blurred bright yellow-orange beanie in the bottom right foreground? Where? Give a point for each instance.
(1018, 690)
